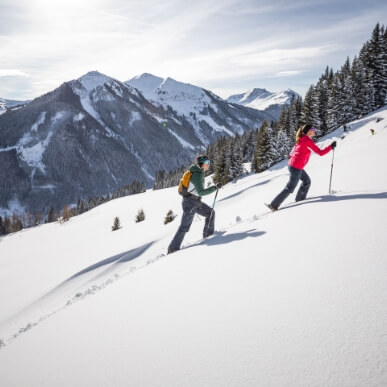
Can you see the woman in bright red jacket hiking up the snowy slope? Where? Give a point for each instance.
(299, 157)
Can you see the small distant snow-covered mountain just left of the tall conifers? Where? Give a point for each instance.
(263, 100)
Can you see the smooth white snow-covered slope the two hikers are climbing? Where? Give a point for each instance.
(292, 298)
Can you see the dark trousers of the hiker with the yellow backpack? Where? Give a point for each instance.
(191, 206)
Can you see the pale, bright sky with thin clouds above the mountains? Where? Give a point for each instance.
(228, 46)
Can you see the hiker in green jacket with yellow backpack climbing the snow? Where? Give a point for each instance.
(192, 203)
